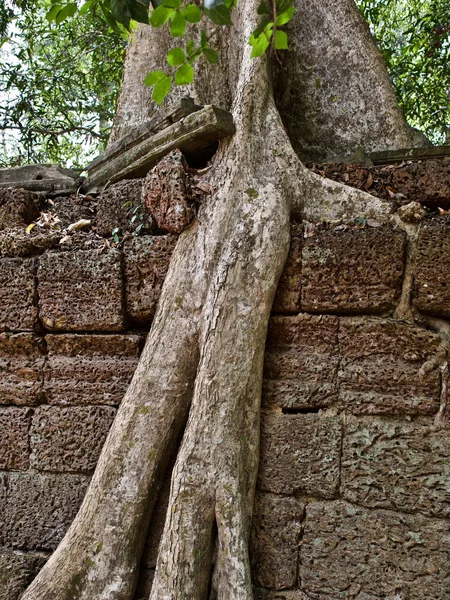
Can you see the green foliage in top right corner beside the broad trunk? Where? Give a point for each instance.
(414, 38)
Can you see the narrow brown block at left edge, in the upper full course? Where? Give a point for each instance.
(18, 308)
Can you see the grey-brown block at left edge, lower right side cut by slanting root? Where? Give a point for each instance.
(39, 508)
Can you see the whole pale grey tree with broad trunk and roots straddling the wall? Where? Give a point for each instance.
(201, 368)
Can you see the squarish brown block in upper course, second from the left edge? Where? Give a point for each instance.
(81, 291)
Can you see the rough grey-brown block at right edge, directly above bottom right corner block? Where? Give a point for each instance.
(401, 466)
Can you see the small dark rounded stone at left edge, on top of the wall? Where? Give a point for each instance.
(17, 207)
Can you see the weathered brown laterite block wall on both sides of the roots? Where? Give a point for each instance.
(353, 496)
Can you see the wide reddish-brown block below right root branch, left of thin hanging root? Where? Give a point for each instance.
(352, 270)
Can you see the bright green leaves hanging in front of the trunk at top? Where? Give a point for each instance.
(122, 14)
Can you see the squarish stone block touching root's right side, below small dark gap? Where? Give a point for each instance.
(300, 453)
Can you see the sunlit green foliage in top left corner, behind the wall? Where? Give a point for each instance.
(58, 85)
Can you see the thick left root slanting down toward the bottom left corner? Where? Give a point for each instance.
(99, 556)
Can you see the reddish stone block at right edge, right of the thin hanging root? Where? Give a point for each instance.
(431, 293)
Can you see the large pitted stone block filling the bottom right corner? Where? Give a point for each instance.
(349, 552)
